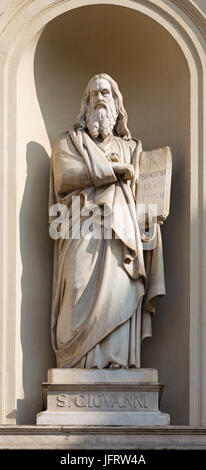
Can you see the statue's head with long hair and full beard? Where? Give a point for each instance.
(102, 111)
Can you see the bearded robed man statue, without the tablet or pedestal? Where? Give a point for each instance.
(104, 288)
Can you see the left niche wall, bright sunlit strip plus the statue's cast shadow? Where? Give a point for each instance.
(34, 247)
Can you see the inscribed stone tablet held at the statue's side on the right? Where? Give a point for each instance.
(155, 180)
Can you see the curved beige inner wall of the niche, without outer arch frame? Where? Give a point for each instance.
(153, 76)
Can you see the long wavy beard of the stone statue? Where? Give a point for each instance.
(101, 121)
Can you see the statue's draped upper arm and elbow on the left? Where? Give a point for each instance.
(70, 172)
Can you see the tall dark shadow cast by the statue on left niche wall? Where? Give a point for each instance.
(37, 257)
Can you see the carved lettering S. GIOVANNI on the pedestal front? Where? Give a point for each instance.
(101, 400)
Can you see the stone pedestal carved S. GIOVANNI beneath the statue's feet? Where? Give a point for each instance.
(102, 397)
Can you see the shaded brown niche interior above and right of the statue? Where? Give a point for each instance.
(153, 75)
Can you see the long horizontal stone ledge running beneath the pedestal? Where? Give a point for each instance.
(100, 437)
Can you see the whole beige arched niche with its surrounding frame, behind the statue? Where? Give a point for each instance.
(45, 83)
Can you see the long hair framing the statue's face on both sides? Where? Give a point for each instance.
(120, 128)
